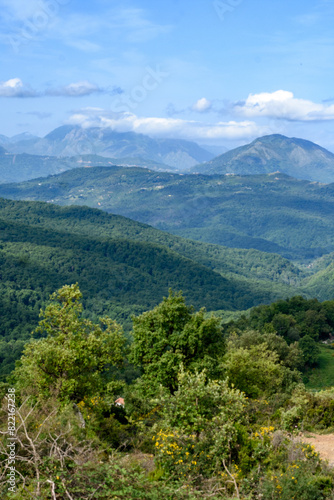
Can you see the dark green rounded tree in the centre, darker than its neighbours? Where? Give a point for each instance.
(172, 334)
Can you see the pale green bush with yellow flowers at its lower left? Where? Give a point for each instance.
(199, 425)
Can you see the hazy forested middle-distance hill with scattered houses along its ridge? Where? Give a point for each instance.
(272, 213)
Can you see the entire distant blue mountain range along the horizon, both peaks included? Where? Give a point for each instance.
(70, 146)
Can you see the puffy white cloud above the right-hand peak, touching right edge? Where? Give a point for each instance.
(283, 105)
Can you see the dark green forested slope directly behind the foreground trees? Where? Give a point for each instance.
(122, 266)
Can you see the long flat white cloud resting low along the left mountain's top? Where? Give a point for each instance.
(166, 127)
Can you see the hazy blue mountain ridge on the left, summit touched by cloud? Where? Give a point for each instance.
(71, 141)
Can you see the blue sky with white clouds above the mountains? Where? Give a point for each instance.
(218, 72)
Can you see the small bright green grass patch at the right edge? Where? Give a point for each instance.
(322, 376)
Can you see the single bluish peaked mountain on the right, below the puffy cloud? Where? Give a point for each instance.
(295, 157)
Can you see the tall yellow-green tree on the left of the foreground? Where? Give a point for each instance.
(75, 354)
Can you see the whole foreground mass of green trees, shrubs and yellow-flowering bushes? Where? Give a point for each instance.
(223, 435)
